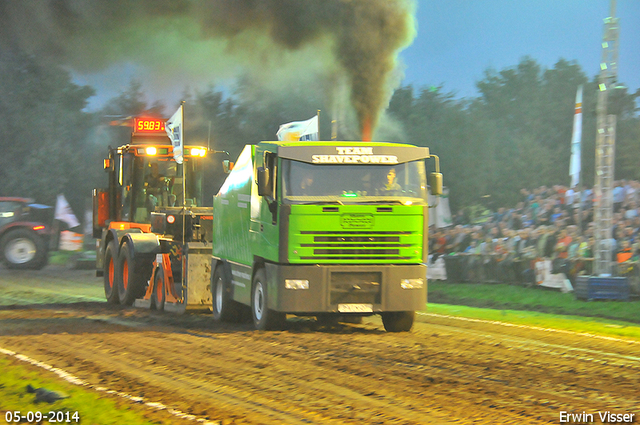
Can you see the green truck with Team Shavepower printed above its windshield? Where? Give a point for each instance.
(324, 229)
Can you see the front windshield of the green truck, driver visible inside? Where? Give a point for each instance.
(309, 183)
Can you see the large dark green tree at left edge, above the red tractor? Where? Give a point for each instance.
(44, 130)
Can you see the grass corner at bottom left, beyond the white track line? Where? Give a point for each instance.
(92, 407)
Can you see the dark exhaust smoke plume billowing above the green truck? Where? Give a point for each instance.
(363, 36)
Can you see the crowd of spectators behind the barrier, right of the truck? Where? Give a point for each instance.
(554, 223)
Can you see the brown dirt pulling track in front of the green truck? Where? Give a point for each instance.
(445, 371)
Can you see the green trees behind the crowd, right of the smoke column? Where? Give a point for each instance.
(517, 133)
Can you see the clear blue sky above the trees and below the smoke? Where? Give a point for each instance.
(457, 40)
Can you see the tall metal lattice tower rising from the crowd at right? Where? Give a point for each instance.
(605, 150)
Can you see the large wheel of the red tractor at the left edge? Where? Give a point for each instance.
(23, 249)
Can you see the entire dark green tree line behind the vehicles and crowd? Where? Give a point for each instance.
(515, 134)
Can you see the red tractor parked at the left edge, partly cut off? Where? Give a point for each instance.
(24, 236)
